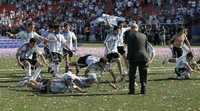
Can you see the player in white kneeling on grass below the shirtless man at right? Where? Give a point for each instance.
(183, 68)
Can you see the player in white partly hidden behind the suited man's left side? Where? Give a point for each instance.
(121, 46)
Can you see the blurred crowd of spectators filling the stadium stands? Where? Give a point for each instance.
(79, 13)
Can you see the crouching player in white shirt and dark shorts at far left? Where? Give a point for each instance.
(27, 57)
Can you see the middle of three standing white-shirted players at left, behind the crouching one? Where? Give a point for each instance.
(56, 42)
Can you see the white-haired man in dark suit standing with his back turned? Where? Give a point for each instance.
(137, 57)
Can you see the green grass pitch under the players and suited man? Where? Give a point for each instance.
(163, 94)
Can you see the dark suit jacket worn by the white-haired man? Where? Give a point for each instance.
(137, 43)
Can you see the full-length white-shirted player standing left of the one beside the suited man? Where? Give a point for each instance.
(112, 54)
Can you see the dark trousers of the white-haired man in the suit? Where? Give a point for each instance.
(132, 74)
